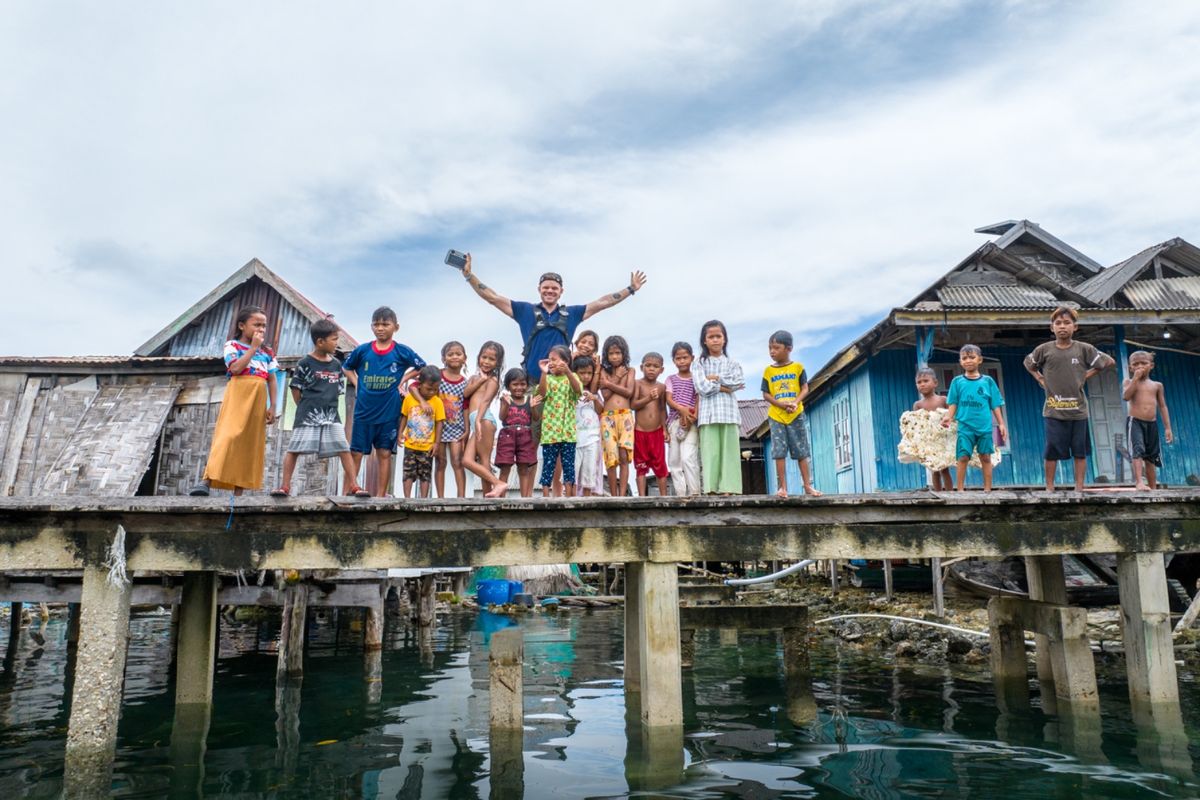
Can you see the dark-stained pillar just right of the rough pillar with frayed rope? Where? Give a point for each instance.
(197, 640)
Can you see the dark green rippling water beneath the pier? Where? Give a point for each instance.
(881, 731)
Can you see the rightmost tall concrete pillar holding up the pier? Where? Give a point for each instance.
(1147, 631)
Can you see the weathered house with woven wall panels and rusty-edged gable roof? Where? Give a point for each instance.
(143, 424)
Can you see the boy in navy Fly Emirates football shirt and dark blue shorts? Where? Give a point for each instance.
(380, 370)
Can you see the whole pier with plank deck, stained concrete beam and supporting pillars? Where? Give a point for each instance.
(650, 536)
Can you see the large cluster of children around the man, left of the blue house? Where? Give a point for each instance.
(591, 413)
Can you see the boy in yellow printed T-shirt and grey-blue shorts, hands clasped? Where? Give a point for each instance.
(785, 386)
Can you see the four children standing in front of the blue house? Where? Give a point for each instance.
(1061, 368)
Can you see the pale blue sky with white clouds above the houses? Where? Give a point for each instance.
(799, 166)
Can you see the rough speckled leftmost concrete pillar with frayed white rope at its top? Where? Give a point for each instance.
(100, 679)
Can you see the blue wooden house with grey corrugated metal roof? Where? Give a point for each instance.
(1000, 298)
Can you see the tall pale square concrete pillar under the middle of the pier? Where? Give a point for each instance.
(659, 653)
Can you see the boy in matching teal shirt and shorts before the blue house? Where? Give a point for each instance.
(975, 404)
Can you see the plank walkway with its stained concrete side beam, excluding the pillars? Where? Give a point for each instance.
(188, 534)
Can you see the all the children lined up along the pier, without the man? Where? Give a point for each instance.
(593, 416)
